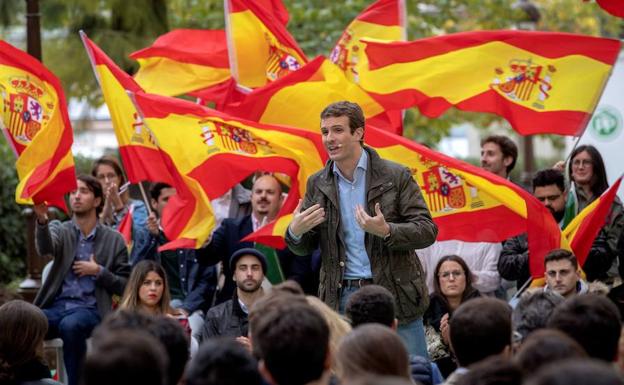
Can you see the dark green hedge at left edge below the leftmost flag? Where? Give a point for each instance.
(12, 225)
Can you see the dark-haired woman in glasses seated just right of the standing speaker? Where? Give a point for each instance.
(452, 287)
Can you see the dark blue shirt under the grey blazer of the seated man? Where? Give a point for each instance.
(79, 291)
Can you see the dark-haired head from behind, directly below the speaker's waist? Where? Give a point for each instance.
(371, 304)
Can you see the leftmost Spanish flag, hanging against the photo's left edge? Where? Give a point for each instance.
(34, 120)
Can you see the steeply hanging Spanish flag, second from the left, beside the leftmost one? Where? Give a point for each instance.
(138, 149)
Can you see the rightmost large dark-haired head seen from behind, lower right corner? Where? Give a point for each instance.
(593, 321)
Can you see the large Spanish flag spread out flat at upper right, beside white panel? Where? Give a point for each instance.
(541, 82)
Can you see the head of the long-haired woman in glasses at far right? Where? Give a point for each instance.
(586, 167)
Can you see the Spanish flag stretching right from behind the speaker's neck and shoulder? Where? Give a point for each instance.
(466, 202)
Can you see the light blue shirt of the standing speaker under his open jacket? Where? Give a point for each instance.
(351, 194)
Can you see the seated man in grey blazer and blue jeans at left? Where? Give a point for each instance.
(90, 266)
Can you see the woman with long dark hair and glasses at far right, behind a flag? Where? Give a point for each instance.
(588, 178)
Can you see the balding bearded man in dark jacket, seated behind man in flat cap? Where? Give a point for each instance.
(266, 201)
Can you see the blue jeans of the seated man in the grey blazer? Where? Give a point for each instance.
(73, 326)
